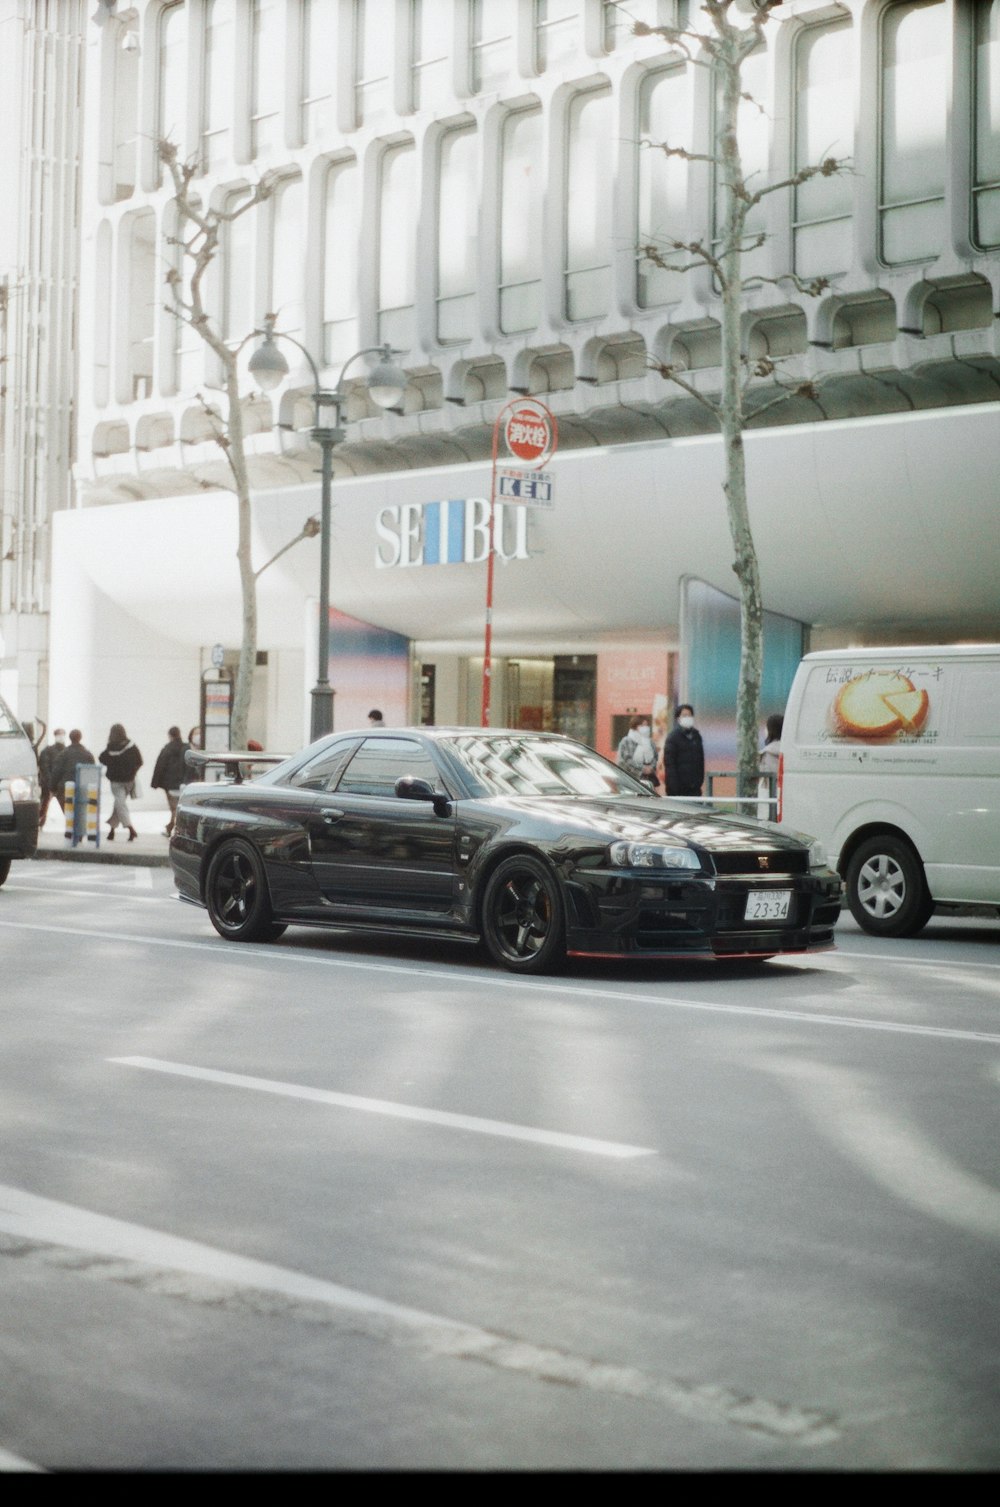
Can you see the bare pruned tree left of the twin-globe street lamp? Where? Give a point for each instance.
(200, 234)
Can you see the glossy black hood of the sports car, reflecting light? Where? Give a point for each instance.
(654, 821)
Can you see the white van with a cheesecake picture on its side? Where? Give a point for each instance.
(892, 759)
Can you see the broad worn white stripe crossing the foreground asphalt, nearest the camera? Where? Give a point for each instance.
(141, 1253)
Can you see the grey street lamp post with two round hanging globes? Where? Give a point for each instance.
(385, 385)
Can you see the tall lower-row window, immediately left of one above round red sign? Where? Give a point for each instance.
(459, 204)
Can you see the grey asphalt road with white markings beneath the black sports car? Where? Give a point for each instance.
(338, 1205)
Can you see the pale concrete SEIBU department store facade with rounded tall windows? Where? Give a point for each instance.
(474, 183)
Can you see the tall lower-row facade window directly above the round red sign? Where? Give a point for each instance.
(522, 191)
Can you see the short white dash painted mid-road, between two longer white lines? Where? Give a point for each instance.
(383, 1107)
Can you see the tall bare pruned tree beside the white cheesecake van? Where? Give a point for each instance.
(724, 47)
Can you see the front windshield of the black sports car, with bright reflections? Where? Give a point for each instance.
(531, 766)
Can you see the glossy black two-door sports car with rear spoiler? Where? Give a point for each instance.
(529, 842)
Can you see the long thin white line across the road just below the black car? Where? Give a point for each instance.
(270, 955)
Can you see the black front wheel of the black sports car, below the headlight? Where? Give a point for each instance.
(523, 920)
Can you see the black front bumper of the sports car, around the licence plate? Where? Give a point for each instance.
(697, 917)
